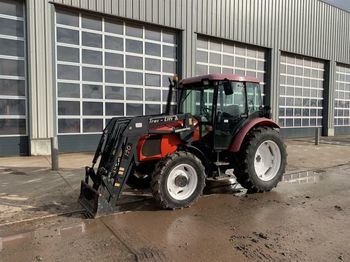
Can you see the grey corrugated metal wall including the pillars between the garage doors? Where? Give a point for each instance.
(308, 27)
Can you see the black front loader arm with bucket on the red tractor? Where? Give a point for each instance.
(117, 151)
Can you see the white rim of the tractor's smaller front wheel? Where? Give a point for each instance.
(182, 182)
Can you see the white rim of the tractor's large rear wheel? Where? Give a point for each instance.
(267, 160)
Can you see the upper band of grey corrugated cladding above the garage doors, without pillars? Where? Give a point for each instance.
(309, 27)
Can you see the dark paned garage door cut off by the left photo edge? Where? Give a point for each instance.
(13, 93)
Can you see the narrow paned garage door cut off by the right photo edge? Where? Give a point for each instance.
(342, 99)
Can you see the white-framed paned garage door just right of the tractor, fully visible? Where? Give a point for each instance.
(301, 92)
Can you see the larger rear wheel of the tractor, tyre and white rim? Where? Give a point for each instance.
(262, 160)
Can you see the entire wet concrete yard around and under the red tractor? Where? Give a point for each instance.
(306, 218)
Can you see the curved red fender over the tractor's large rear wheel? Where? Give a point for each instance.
(238, 139)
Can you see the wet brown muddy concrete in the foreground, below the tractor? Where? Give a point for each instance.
(304, 219)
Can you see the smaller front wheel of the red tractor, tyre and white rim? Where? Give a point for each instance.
(178, 180)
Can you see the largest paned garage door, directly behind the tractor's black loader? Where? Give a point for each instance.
(106, 67)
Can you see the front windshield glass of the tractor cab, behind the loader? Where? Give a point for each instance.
(198, 102)
